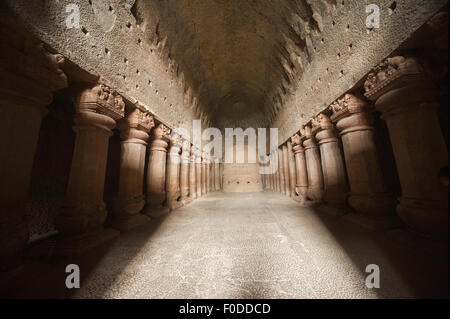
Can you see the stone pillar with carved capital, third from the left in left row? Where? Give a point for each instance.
(130, 201)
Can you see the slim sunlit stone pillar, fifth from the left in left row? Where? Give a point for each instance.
(173, 177)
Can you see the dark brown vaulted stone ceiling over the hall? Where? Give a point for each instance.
(239, 57)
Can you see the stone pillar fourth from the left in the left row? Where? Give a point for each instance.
(156, 171)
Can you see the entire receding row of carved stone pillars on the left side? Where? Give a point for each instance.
(174, 176)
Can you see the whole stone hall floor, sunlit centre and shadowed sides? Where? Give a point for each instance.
(255, 245)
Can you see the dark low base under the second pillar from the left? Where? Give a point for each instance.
(73, 246)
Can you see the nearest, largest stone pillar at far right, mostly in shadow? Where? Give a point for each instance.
(407, 99)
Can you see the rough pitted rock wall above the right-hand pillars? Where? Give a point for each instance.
(344, 50)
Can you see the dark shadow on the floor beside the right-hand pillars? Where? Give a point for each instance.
(420, 263)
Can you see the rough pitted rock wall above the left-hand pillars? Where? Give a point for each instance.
(111, 45)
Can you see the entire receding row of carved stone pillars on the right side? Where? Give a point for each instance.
(334, 159)
